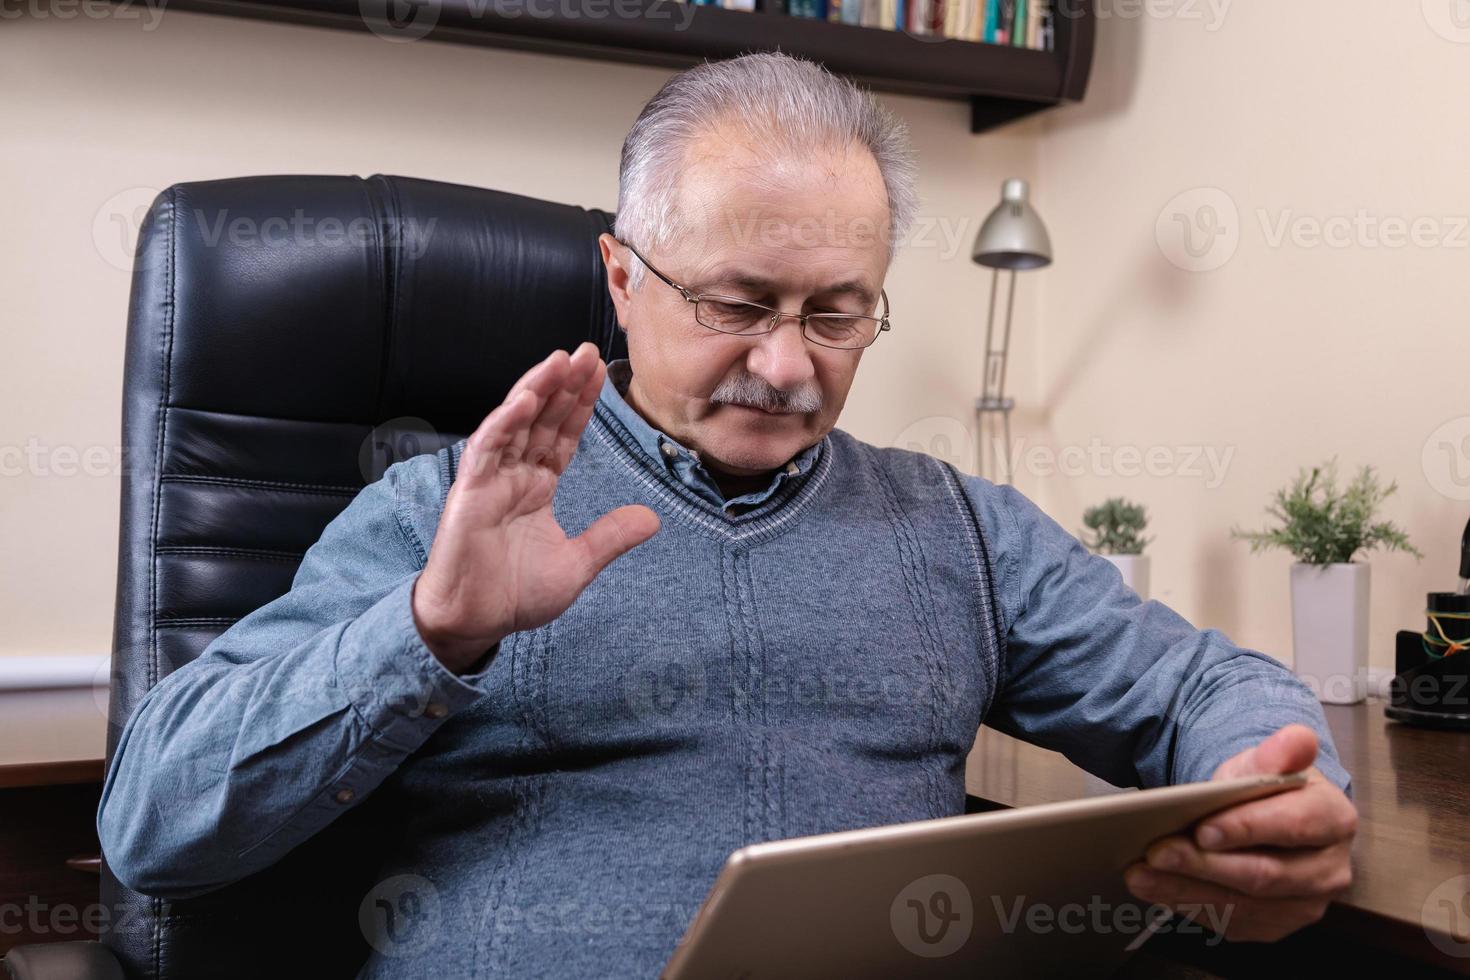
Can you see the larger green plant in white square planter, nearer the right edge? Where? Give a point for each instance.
(1325, 530)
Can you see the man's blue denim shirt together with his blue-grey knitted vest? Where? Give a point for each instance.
(817, 663)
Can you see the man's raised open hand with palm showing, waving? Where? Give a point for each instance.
(501, 563)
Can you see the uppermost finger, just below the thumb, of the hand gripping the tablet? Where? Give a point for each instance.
(1315, 816)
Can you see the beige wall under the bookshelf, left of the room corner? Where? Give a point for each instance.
(101, 114)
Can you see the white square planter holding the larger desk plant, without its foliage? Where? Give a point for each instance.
(1330, 624)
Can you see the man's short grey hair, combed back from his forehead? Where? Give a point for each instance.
(797, 107)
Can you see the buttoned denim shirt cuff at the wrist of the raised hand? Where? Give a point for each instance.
(393, 680)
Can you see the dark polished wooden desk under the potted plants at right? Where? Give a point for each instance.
(1412, 788)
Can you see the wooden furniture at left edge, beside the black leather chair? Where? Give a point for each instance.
(52, 747)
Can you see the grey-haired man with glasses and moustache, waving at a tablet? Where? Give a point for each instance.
(656, 610)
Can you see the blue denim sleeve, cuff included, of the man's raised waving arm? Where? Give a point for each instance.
(292, 716)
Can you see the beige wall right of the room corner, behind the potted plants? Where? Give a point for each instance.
(1294, 349)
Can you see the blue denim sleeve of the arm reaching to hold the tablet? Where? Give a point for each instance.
(1125, 688)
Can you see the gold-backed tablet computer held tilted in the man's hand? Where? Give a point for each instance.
(1036, 891)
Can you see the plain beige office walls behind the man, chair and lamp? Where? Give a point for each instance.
(1286, 353)
